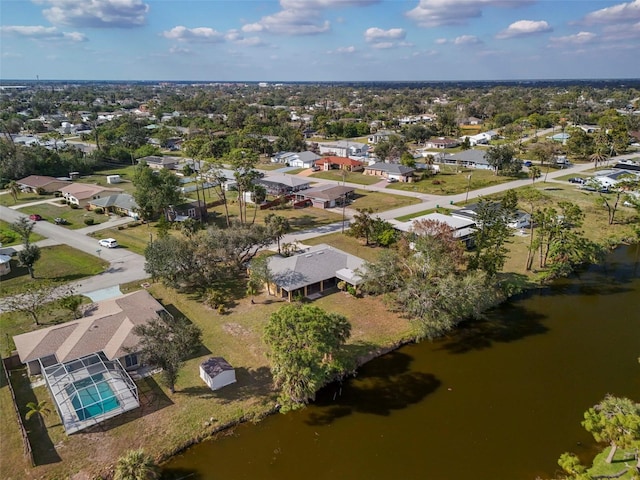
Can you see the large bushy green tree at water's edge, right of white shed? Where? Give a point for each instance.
(304, 350)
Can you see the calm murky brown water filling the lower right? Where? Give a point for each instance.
(502, 400)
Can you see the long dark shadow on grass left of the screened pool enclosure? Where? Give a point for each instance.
(44, 452)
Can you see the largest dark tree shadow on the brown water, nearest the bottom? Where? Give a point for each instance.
(389, 386)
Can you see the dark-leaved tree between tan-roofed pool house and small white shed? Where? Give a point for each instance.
(167, 343)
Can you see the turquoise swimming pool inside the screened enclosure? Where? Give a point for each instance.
(92, 396)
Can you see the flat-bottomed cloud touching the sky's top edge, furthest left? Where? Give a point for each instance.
(95, 13)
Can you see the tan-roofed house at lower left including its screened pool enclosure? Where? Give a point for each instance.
(82, 357)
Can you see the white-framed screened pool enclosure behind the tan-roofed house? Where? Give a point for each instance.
(89, 390)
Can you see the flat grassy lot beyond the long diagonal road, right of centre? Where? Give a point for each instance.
(448, 182)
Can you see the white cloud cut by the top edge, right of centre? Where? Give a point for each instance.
(434, 13)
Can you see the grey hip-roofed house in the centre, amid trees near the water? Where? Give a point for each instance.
(316, 270)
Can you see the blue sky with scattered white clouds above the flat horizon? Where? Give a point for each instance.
(318, 40)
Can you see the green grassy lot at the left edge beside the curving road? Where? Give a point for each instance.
(59, 263)
